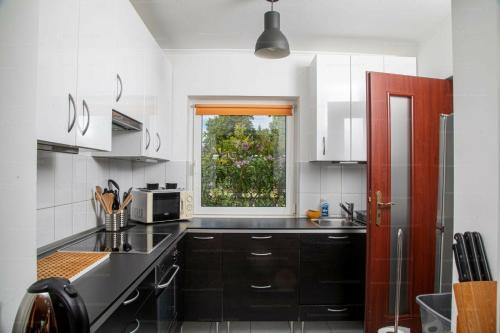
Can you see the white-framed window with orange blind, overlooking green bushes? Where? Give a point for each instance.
(243, 160)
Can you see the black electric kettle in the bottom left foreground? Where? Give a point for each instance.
(51, 306)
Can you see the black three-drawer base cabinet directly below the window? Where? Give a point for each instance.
(260, 277)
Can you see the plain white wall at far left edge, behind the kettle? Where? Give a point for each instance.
(18, 56)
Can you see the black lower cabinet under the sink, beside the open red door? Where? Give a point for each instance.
(332, 276)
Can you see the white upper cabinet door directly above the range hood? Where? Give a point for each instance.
(130, 52)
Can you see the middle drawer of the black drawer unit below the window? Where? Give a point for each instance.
(278, 266)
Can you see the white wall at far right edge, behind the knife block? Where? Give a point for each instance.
(476, 57)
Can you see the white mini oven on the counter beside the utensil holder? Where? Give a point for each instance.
(152, 206)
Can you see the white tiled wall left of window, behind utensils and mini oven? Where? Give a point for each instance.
(66, 185)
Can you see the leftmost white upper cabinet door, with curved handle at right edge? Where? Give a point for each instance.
(57, 71)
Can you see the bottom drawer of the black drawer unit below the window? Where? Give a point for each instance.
(247, 302)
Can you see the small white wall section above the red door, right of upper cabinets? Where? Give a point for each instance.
(435, 54)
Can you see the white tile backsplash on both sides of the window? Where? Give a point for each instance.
(66, 185)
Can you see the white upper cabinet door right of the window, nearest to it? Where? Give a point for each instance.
(333, 107)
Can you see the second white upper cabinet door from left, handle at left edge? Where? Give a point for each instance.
(96, 53)
